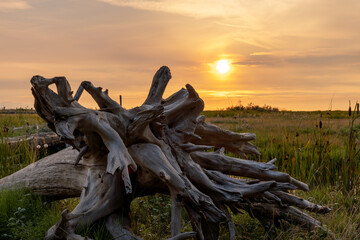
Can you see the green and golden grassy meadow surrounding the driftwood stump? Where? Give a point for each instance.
(319, 148)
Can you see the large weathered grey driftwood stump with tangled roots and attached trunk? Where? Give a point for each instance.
(163, 146)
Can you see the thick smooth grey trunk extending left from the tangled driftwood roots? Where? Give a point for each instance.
(53, 176)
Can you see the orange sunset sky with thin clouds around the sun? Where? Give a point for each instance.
(291, 54)
